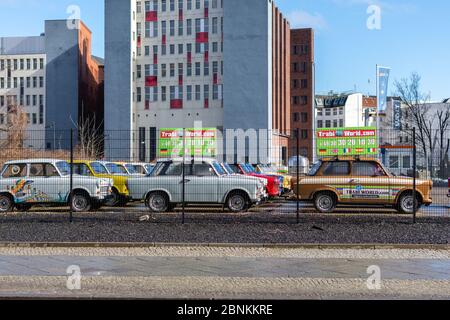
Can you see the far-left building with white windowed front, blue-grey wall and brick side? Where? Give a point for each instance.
(54, 78)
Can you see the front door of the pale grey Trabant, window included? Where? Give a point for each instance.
(201, 183)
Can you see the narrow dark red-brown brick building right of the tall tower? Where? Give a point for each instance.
(302, 87)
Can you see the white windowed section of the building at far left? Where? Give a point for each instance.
(22, 82)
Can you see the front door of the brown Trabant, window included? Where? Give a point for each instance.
(369, 183)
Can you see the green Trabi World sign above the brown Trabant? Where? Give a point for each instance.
(346, 141)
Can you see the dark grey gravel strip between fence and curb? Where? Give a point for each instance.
(254, 227)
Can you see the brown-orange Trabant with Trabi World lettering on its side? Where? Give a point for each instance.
(359, 181)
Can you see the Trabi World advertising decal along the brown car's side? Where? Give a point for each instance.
(366, 192)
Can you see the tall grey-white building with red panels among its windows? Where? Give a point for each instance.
(183, 63)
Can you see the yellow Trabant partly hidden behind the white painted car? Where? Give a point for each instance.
(120, 195)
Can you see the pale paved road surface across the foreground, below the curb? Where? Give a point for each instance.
(224, 273)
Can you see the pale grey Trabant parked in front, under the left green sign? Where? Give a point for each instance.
(205, 183)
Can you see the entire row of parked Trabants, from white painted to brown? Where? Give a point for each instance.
(330, 182)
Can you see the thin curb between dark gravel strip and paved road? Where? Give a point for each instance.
(222, 245)
